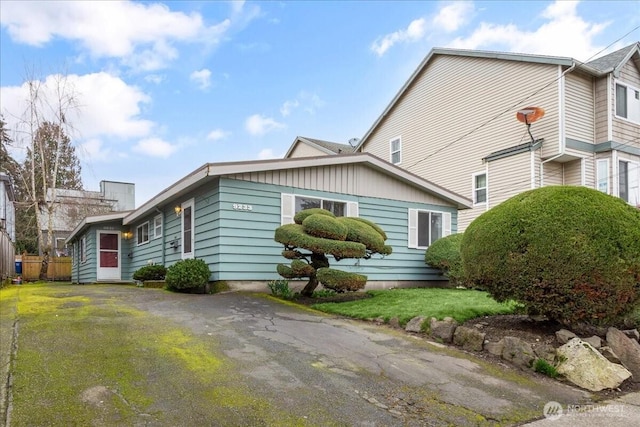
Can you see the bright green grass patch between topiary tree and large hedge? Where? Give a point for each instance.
(405, 304)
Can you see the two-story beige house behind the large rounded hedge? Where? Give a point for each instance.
(454, 123)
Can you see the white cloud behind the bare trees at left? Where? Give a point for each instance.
(107, 106)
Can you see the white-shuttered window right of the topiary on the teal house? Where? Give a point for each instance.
(425, 227)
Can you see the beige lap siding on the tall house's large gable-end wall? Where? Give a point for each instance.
(446, 144)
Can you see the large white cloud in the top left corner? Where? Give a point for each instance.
(140, 34)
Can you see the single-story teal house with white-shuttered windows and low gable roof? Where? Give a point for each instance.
(227, 213)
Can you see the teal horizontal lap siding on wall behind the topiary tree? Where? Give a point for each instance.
(250, 253)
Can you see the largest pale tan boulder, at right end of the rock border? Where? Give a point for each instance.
(584, 366)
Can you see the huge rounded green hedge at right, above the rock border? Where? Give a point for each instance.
(571, 253)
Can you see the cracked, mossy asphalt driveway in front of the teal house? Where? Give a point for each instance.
(260, 361)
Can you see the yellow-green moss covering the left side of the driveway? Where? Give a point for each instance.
(91, 361)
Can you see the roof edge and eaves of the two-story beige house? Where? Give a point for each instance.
(619, 58)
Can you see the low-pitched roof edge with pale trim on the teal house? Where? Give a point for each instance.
(211, 171)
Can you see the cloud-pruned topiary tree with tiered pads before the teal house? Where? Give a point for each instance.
(318, 233)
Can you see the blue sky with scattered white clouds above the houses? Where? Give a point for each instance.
(165, 87)
